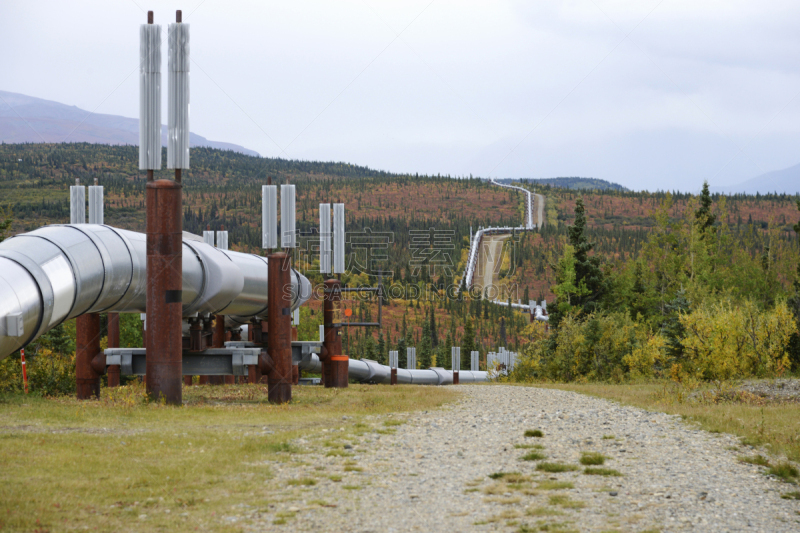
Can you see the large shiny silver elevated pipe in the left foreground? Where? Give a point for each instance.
(59, 272)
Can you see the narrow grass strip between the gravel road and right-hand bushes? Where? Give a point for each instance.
(774, 425)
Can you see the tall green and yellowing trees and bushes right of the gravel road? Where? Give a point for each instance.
(702, 297)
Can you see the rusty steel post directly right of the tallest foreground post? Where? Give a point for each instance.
(279, 320)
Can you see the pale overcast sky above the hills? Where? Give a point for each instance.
(647, 93)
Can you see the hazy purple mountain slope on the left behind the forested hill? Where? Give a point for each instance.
(28, 119)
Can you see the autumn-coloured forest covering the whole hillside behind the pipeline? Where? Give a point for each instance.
(650, 262)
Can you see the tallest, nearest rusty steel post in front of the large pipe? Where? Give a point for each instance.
(164, 375)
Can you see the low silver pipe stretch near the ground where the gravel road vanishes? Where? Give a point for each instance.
(367, 371)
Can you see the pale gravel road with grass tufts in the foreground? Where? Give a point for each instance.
(431, 472)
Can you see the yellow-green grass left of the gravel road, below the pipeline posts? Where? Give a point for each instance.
(101, 464)
